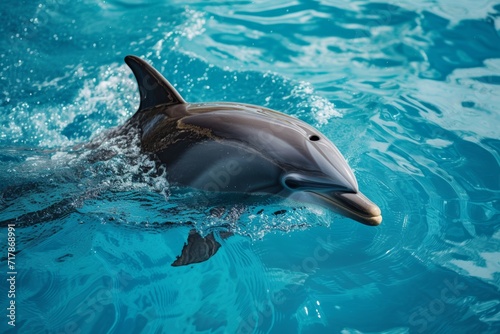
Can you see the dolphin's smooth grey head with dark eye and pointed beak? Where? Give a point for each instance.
(326, 178)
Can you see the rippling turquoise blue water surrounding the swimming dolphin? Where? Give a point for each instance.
(408, 91)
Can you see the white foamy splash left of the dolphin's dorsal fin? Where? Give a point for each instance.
(102, 101)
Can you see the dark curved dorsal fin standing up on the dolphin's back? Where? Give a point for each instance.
(153, 87)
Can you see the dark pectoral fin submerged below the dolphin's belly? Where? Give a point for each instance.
(199, 249)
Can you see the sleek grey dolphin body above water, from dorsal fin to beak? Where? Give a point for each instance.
(241, 148)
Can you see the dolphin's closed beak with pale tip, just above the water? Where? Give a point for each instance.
(353, 205)
